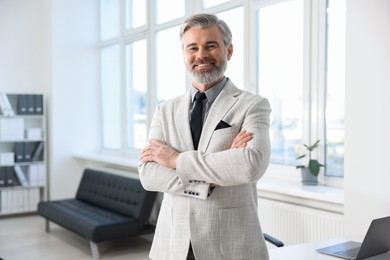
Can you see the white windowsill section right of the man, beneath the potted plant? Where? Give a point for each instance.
(291, 191)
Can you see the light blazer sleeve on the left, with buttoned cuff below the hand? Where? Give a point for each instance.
(161, 179)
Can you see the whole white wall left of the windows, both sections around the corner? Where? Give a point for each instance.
(50, 47)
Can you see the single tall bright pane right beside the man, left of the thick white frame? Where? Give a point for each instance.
(280, 74)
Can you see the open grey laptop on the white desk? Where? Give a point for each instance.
(375, 242)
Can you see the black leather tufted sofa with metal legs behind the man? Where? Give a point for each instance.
(106, 207)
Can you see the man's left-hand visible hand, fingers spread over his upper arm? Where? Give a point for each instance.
(160, 153)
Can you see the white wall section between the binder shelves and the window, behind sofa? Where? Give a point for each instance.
(75, 114)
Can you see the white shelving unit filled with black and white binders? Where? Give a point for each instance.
(23, 163)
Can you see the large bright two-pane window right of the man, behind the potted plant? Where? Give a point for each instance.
(300, 69)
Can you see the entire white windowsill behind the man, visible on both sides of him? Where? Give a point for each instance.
(274, 188)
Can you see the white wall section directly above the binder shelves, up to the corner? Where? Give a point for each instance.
(22, 46)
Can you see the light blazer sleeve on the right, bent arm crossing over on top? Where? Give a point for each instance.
(234, 166)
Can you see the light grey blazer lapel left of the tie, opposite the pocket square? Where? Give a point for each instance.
(182, 121)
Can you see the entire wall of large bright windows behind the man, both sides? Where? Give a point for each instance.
(290, 51)
